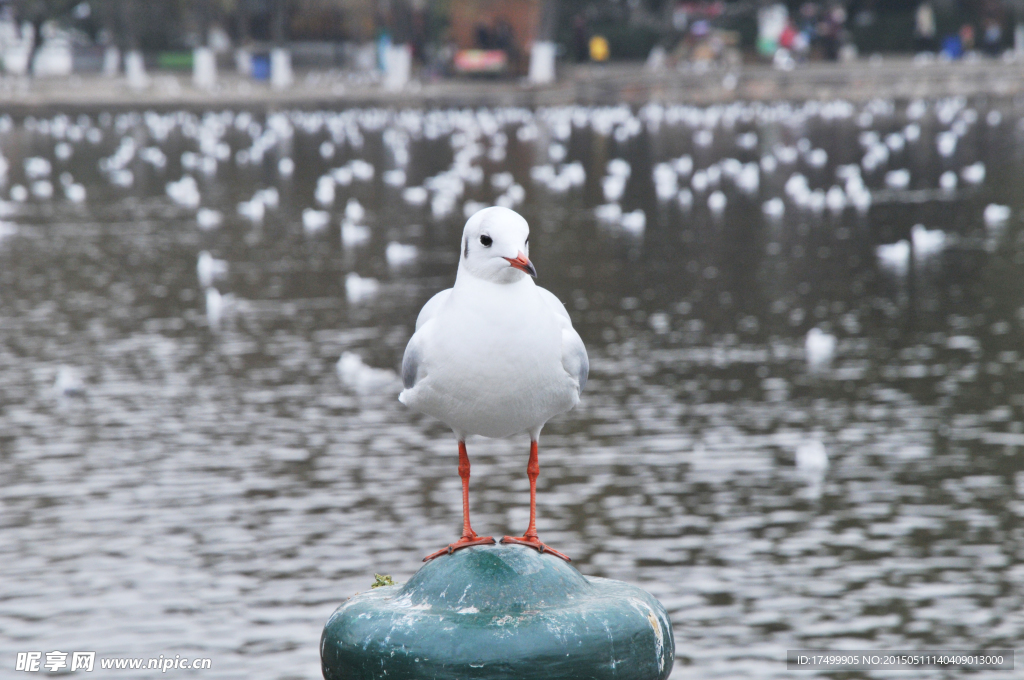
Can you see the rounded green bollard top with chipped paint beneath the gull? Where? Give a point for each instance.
(499, 612)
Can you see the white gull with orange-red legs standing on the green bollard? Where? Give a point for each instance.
(495, 356)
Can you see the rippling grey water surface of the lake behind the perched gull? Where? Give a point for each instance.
(199, 481)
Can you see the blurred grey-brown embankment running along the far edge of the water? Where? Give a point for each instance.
(633, 83)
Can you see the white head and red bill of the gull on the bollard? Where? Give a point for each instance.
(496, 246)
